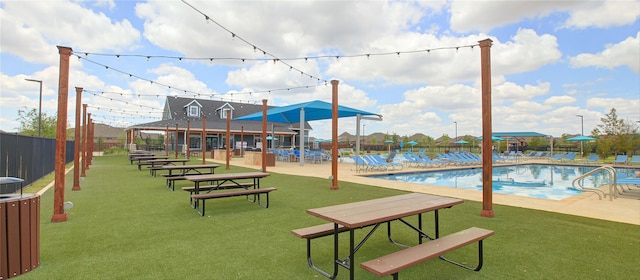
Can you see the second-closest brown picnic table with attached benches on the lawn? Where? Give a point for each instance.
(226, 181)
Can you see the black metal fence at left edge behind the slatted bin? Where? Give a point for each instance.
(29, 158)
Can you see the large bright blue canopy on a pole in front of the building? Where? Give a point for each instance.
(302, 112)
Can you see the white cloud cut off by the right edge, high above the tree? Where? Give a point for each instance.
(626, 53)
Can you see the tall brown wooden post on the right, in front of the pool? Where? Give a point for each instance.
(487, 152)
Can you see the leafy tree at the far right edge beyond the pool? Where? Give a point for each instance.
(615, 135)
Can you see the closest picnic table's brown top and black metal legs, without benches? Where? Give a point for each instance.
(374, 213)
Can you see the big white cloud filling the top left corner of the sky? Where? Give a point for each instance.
(28, 21)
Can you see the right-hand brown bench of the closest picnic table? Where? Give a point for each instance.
(393, 263)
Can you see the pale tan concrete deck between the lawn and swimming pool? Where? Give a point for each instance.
(587, 204)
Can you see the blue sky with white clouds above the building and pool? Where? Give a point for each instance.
(551, 60)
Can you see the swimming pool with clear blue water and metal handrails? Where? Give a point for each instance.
(532, 180)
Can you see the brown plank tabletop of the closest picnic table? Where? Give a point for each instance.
(369, 212)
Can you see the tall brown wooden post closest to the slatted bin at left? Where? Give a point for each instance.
(61, 135)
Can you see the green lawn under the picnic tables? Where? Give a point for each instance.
(126, 224)
